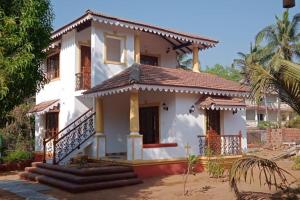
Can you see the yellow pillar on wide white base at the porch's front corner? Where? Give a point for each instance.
(134, 139)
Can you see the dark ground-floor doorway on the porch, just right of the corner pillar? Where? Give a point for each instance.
(149, 124)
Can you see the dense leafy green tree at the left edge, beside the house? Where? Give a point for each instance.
(25, 31)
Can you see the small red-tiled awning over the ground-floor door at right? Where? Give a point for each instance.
(220, 101)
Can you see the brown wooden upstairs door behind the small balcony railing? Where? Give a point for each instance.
(86, 67)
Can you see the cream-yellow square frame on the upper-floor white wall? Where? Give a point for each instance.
(122, 39)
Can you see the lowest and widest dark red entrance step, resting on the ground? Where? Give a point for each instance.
(76, 188)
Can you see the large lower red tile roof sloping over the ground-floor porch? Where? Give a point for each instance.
(163, 76)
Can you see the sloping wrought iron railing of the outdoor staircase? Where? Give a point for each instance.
(70, 138)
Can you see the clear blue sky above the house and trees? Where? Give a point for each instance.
(233, 22)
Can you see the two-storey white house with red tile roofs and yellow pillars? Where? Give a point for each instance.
(115, 92)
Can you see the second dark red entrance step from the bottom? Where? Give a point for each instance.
(80, 179)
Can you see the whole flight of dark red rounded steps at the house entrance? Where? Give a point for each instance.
(80, 180)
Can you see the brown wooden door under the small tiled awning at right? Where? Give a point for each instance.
(213, 131)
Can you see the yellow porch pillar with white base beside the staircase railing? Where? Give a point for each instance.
(99, 124)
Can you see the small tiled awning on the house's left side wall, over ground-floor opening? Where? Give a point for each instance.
(44, 107)
